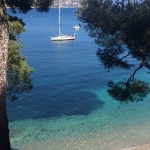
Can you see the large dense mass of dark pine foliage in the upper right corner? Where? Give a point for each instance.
(119, 24)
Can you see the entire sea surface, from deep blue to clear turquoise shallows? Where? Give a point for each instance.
(69, 107)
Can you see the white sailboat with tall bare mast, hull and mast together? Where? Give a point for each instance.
(60, 36)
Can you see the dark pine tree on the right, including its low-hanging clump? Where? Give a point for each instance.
(121, 29)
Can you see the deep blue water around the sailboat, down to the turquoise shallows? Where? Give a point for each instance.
(62, 70)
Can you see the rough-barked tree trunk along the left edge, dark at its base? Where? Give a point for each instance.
(4, 38)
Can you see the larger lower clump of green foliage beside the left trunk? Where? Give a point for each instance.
(18, 74)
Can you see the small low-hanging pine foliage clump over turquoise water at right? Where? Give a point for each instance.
(124, 91)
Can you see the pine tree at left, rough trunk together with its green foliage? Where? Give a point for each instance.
(9, 69)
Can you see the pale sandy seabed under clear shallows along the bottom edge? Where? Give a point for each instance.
(127, 139)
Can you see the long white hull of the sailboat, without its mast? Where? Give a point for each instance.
(63, 38)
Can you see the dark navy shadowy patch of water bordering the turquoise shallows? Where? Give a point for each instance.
(66, 104)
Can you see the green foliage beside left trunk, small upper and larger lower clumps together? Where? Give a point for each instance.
(18, 72)
